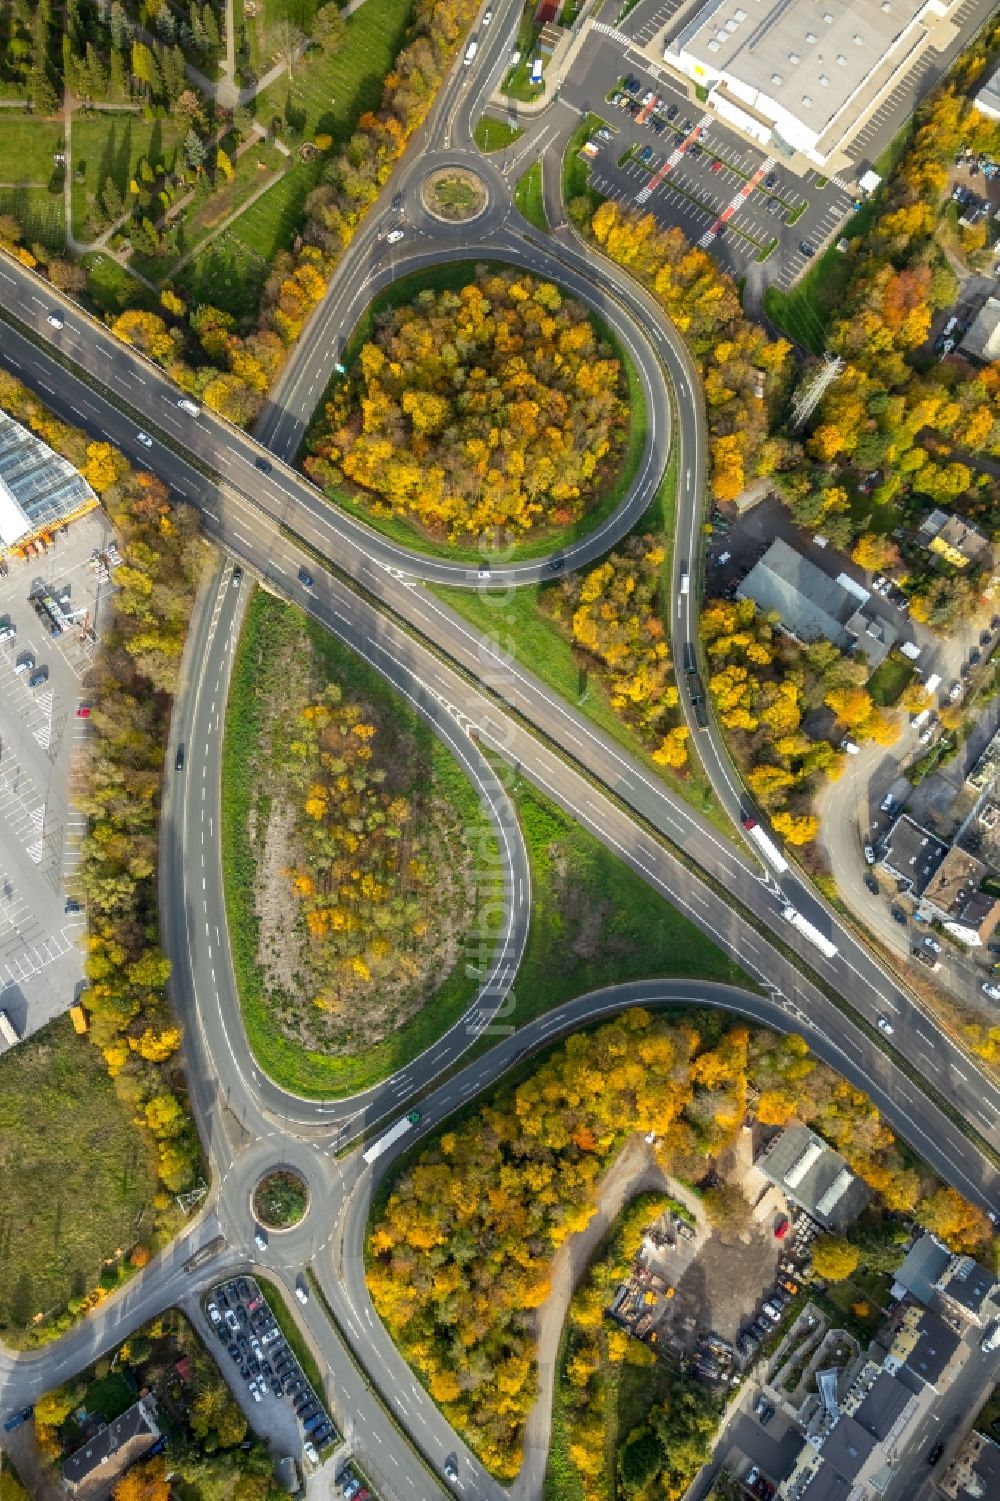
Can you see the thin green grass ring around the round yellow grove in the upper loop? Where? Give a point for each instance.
(402, 531)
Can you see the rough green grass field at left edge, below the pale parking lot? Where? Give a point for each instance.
(76, 1179)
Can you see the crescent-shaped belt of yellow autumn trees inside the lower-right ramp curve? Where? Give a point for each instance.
(462, 1253)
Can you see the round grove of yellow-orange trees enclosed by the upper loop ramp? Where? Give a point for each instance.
(493, 406)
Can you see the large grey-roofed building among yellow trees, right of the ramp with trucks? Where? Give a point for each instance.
(815, 607)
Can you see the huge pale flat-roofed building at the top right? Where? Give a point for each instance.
(801, 77)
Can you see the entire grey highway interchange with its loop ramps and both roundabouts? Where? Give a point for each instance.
(478, 699)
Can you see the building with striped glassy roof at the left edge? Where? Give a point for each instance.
(40, 490)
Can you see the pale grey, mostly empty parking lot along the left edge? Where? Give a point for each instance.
(43, 675)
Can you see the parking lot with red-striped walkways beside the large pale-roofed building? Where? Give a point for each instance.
(678, 161)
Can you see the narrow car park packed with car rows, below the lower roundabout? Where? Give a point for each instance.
(271, 1382)
